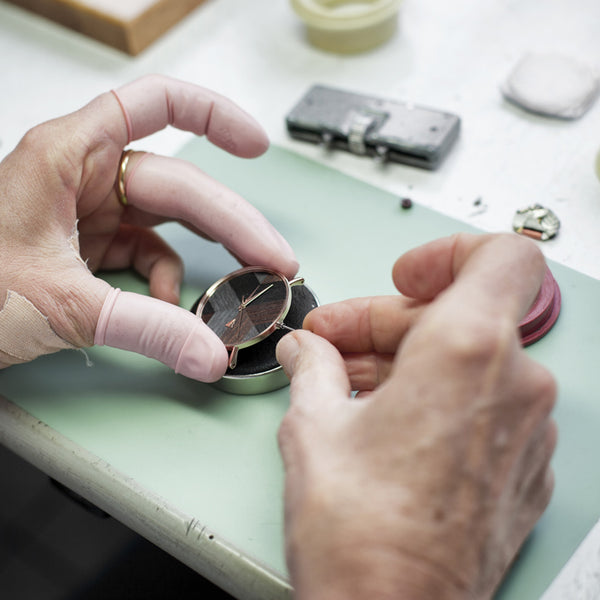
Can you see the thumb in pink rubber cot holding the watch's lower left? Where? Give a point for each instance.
(159, 330)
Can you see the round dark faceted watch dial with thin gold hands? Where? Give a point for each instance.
(244, 307)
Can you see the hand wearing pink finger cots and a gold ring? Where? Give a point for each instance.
(61, 219)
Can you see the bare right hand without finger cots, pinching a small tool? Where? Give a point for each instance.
(425, 484)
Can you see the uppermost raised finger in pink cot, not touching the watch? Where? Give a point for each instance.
(155, 101)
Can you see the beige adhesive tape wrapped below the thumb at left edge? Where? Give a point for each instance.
(25, 332)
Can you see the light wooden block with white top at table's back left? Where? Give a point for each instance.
(128, 25)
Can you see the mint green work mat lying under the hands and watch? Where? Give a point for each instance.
(214, 456)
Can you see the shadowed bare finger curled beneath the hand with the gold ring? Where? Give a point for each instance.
(145, 251)
